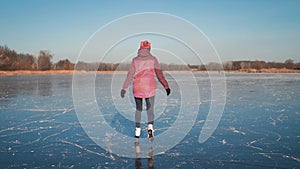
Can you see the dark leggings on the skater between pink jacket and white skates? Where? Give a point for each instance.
(139, 109)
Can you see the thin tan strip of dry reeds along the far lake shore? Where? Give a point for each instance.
(54, 72)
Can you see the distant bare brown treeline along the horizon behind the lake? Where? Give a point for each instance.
(11, 60)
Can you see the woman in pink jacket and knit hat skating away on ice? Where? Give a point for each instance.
(142, 70)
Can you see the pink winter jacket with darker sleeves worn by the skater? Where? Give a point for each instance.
(142, 70)
